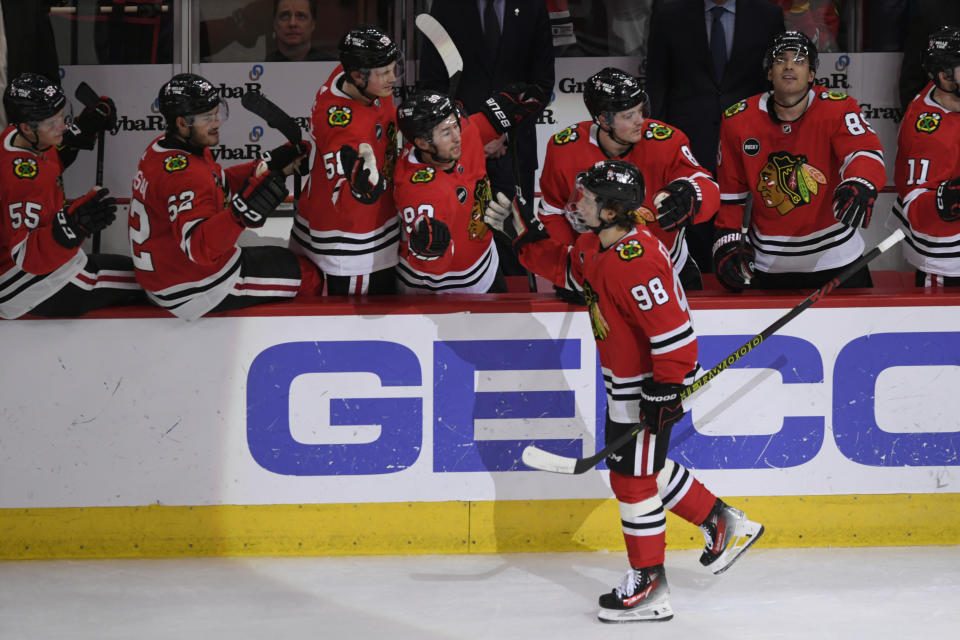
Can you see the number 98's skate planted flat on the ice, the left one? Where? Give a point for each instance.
(641, 597)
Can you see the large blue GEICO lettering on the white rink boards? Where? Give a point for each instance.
(393, 407)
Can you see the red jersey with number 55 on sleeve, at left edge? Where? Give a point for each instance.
(33, 266)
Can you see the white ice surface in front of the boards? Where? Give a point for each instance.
(801, 594)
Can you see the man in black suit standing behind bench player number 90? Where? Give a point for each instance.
(501, 42)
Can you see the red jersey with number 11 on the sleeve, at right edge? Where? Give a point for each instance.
(927, 155)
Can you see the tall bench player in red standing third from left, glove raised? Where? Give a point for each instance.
(347, 224)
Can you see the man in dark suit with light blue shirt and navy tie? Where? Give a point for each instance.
(702, 57)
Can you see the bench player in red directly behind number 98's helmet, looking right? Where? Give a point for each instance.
(681, 191)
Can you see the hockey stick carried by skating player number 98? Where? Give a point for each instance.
(546, 461)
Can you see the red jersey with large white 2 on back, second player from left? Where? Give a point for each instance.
(183, 236)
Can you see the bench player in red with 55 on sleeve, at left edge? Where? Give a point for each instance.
(43, 270)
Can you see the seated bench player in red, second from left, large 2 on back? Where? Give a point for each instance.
(187, 214)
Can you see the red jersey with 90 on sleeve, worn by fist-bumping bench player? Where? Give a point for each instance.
(458, 198)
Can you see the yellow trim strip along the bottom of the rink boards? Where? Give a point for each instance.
(452, 527)
